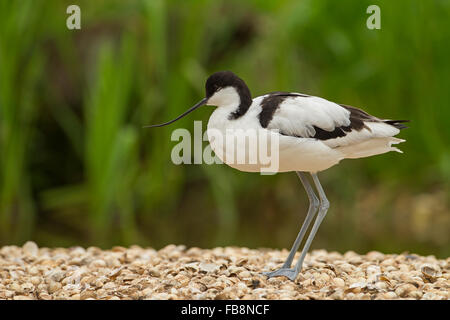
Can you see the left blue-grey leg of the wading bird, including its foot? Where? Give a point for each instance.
(313, 206)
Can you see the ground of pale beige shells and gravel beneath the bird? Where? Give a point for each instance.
(175, 272)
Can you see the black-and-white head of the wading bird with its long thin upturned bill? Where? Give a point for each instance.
(222, 88)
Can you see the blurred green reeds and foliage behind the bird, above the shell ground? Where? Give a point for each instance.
(76, 167)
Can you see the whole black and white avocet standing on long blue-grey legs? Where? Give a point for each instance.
(314, 134)
